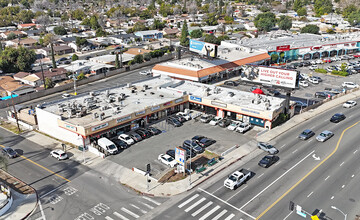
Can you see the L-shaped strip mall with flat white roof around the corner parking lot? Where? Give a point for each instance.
(82, 119)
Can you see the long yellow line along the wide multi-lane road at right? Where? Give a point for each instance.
(310, 172)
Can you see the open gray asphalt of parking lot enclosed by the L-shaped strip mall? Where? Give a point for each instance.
(148, 150)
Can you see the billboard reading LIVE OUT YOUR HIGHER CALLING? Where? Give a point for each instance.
(270, 76)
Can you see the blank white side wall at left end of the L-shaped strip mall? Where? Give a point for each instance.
(48, 124)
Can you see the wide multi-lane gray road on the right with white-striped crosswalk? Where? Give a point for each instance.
(312, 174)
